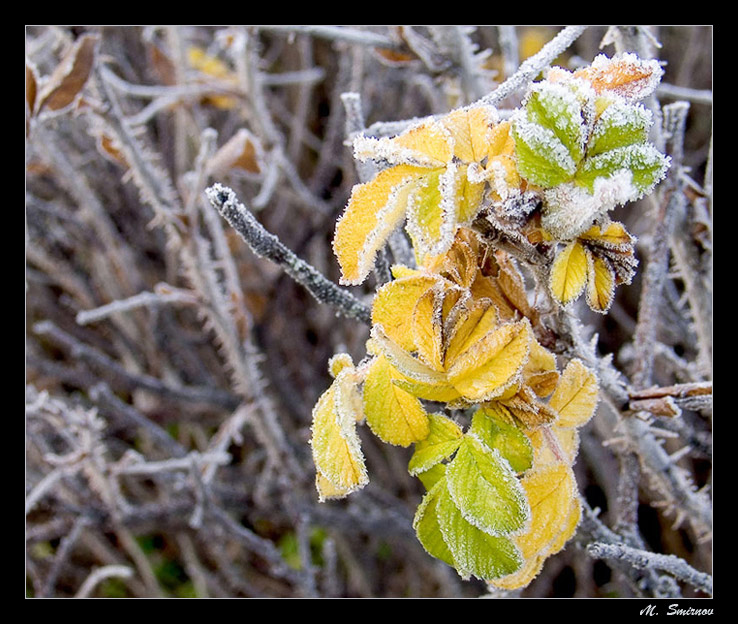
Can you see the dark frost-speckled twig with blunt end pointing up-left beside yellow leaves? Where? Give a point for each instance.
(265, 244)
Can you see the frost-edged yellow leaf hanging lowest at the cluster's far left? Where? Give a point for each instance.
(335, 443)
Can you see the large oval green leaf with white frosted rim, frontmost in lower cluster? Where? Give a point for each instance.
(484, 487)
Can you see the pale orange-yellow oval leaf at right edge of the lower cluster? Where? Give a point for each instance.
(575, 397)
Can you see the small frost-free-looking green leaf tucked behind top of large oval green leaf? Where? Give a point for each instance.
(494, 425)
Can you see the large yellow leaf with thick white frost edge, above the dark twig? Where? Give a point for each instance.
(374, 210)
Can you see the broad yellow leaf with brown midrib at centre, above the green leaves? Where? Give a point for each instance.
(493, 363)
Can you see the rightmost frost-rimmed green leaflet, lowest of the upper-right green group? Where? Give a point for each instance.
(646, 164)
